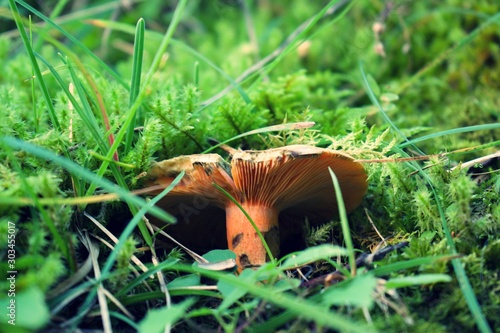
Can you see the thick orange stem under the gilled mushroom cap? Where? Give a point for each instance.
(244, 240)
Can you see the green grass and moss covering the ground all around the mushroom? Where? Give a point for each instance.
(84, 116)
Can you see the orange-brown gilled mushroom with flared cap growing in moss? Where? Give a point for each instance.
(269, 185)
